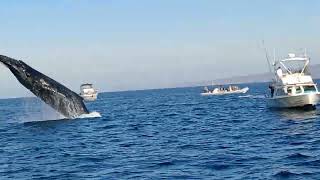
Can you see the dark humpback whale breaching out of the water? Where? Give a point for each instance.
(59, 97)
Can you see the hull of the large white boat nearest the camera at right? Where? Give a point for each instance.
(303, 100)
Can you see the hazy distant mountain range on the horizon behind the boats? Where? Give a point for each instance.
(253, 78)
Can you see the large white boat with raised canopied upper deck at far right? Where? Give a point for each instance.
(292, 85)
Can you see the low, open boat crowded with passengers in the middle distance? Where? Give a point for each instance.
(223, 91)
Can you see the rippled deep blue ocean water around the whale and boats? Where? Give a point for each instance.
(153, 134)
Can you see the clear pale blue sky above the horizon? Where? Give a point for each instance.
(127, 45)
